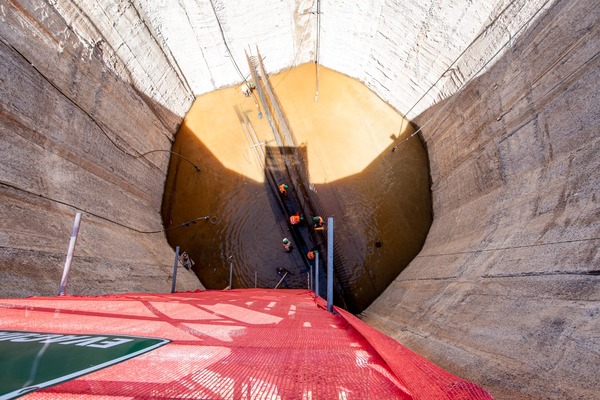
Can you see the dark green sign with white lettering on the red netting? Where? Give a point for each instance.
(33, 360)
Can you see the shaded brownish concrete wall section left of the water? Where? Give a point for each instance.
(71, 133)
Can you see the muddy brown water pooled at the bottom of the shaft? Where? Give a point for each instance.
(379, 198)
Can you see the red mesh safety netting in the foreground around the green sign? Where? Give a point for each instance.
(238, 344)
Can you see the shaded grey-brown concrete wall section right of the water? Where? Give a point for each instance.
(506, 291)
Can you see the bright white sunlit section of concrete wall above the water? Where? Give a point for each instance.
(412, 54)
